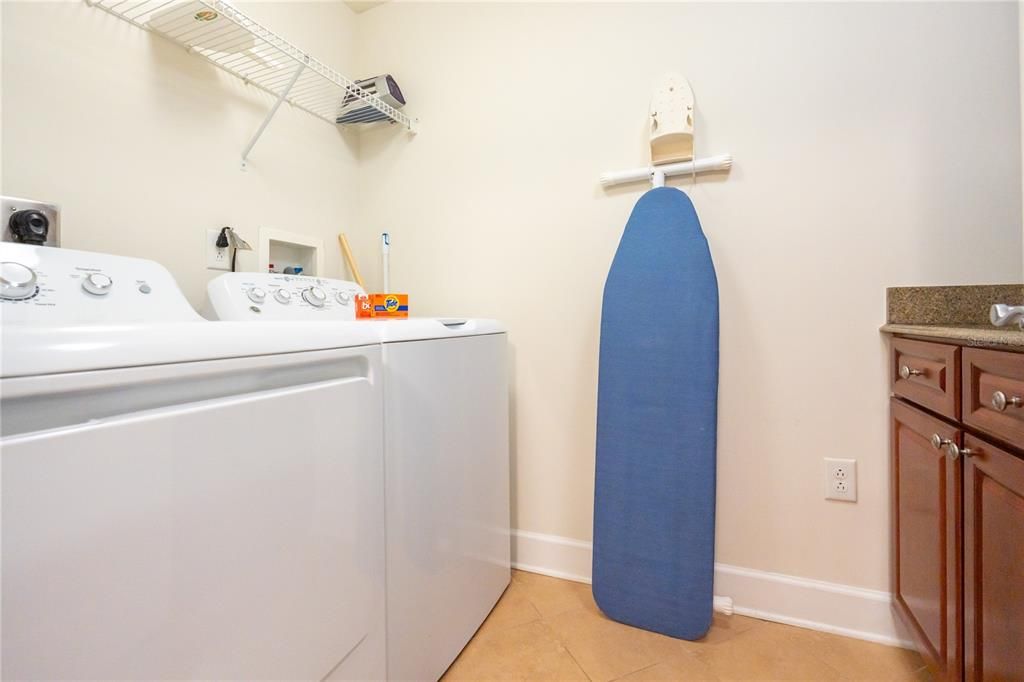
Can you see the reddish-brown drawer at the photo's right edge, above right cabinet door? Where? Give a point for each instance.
(994, 394)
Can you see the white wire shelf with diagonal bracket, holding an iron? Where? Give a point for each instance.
(229, 38)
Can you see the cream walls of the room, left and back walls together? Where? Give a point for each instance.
(852, 127)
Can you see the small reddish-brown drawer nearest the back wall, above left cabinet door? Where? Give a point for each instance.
(927, 374)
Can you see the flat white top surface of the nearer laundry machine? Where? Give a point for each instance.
(37, 350)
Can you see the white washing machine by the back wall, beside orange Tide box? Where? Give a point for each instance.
(447, 461)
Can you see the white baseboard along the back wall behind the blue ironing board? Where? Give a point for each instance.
(803, 603)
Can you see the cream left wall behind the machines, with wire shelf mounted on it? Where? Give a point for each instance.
(141, 143)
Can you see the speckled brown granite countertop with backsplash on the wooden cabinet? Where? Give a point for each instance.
(954, 313)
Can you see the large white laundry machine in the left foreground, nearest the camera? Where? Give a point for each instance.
(183, 499)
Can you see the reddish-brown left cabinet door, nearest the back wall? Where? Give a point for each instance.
(927, 571)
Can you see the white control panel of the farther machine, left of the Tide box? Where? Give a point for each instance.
(241, 296)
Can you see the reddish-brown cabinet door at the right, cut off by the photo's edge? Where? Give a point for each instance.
(994, 600)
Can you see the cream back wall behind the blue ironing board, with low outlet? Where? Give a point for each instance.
(854, 127)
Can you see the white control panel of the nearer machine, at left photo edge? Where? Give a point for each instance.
(40, 284)
